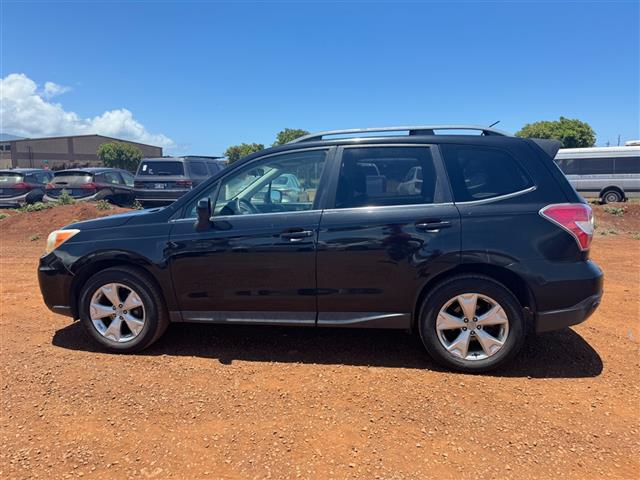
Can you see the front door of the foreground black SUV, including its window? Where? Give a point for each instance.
(256, 263)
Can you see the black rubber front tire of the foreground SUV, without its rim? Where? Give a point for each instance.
(155, 312)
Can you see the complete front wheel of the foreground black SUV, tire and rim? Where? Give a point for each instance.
(140, 326)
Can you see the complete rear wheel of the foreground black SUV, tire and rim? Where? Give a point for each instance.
(443, 308)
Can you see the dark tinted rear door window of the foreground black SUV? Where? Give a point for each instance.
(379, 176)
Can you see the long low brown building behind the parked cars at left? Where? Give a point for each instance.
(61, 152)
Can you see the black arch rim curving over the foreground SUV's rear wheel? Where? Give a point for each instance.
(510, 280)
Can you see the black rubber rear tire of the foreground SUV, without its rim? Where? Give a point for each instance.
(485, 286)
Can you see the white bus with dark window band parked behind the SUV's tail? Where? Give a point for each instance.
(611, 174)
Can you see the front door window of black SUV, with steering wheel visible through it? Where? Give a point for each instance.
(257, 188)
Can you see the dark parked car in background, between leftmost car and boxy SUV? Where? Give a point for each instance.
(100, 183)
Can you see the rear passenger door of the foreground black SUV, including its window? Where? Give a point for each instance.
(381, 240)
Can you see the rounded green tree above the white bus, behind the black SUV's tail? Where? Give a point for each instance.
(571, 132)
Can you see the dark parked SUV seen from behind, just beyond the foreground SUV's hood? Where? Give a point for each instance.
(160, 181)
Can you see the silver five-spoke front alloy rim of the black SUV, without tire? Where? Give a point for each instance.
(117, 312)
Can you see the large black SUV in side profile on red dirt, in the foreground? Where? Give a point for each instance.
(468, 240)
